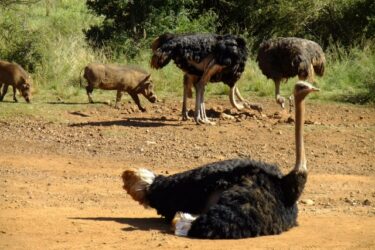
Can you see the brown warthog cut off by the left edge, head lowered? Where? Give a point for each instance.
(14, 75)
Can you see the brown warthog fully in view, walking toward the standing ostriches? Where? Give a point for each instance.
(121, 78)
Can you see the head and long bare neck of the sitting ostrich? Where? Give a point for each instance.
(301, 90)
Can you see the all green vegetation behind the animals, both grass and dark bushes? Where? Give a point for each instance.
(54, 40)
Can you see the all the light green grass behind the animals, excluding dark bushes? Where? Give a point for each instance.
(62, 52)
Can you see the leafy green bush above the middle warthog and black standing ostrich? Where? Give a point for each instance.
(129, 25)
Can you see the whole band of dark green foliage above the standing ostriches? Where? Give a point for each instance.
(344, 22)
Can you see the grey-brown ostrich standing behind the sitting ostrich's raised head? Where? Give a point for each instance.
(285, 57)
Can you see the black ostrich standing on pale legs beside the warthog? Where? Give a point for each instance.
(203, 58)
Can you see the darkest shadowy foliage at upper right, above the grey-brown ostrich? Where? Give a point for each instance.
(345, 22)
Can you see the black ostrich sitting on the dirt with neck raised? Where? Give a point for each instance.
(235, 198)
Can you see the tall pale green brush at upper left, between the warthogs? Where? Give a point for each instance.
(52, 47)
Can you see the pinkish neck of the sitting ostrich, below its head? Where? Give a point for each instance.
(300, 148)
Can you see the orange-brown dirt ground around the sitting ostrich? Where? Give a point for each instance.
(60, 185)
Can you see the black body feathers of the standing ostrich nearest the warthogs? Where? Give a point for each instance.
(227, 50)
